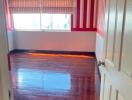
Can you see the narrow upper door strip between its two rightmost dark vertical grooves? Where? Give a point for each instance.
(118, 32)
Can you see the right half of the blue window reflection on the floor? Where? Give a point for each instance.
(53, 81)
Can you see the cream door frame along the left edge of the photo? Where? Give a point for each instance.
(5, 75)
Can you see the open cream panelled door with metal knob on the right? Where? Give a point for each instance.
(116, 74)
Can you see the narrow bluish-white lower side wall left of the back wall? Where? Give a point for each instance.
(10, 41)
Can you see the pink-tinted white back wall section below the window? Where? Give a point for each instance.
(60, 41)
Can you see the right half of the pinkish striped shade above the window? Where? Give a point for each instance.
(66, 6)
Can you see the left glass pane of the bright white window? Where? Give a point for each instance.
(26, 21)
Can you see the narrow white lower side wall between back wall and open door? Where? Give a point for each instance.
(99, 47)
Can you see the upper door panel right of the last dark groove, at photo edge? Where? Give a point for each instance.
(126, 64)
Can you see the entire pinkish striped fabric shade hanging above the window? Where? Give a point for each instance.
(46, 6)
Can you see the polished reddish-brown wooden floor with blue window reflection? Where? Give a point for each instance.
(53, 77)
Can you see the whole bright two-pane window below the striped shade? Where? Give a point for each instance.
(49, 22)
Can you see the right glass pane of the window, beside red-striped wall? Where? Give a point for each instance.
(56, 21)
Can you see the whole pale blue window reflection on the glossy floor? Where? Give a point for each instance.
(46, 80)
